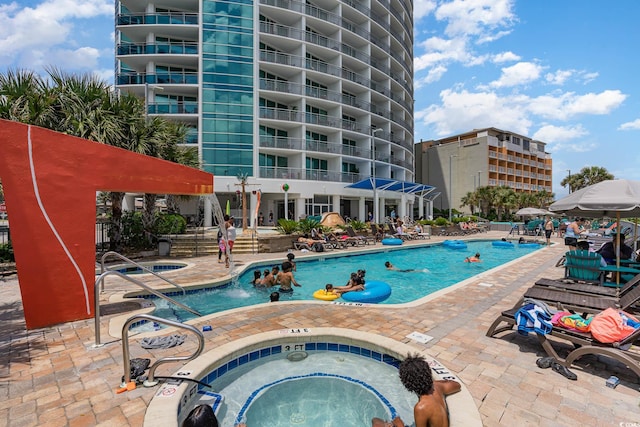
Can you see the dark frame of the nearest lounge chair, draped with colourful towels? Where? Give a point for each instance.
(583, 343)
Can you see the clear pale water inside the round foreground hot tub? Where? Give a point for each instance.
(324, 389)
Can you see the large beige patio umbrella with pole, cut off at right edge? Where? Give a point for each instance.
(620, 197)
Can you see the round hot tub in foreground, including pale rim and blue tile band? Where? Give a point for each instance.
(254, 380)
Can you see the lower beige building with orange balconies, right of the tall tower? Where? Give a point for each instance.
(490, 157)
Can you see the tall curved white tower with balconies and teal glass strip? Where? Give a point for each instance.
(313, 94)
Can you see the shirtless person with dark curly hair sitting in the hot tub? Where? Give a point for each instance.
(431, 409)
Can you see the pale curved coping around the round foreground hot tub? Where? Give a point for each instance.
(162, 410)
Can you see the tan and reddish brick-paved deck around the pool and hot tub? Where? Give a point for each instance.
(53, 376)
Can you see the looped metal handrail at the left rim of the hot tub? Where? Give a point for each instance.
(151, 381)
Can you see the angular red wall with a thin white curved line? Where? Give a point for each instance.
(50, 182)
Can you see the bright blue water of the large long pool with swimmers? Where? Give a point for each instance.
(436, 267)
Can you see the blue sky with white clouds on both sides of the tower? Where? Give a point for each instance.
(561, 72)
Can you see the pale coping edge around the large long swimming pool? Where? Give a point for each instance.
(116, 323)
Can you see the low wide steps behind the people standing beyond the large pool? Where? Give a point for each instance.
(190, 245)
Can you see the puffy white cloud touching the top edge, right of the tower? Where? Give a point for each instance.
(477, 17)
